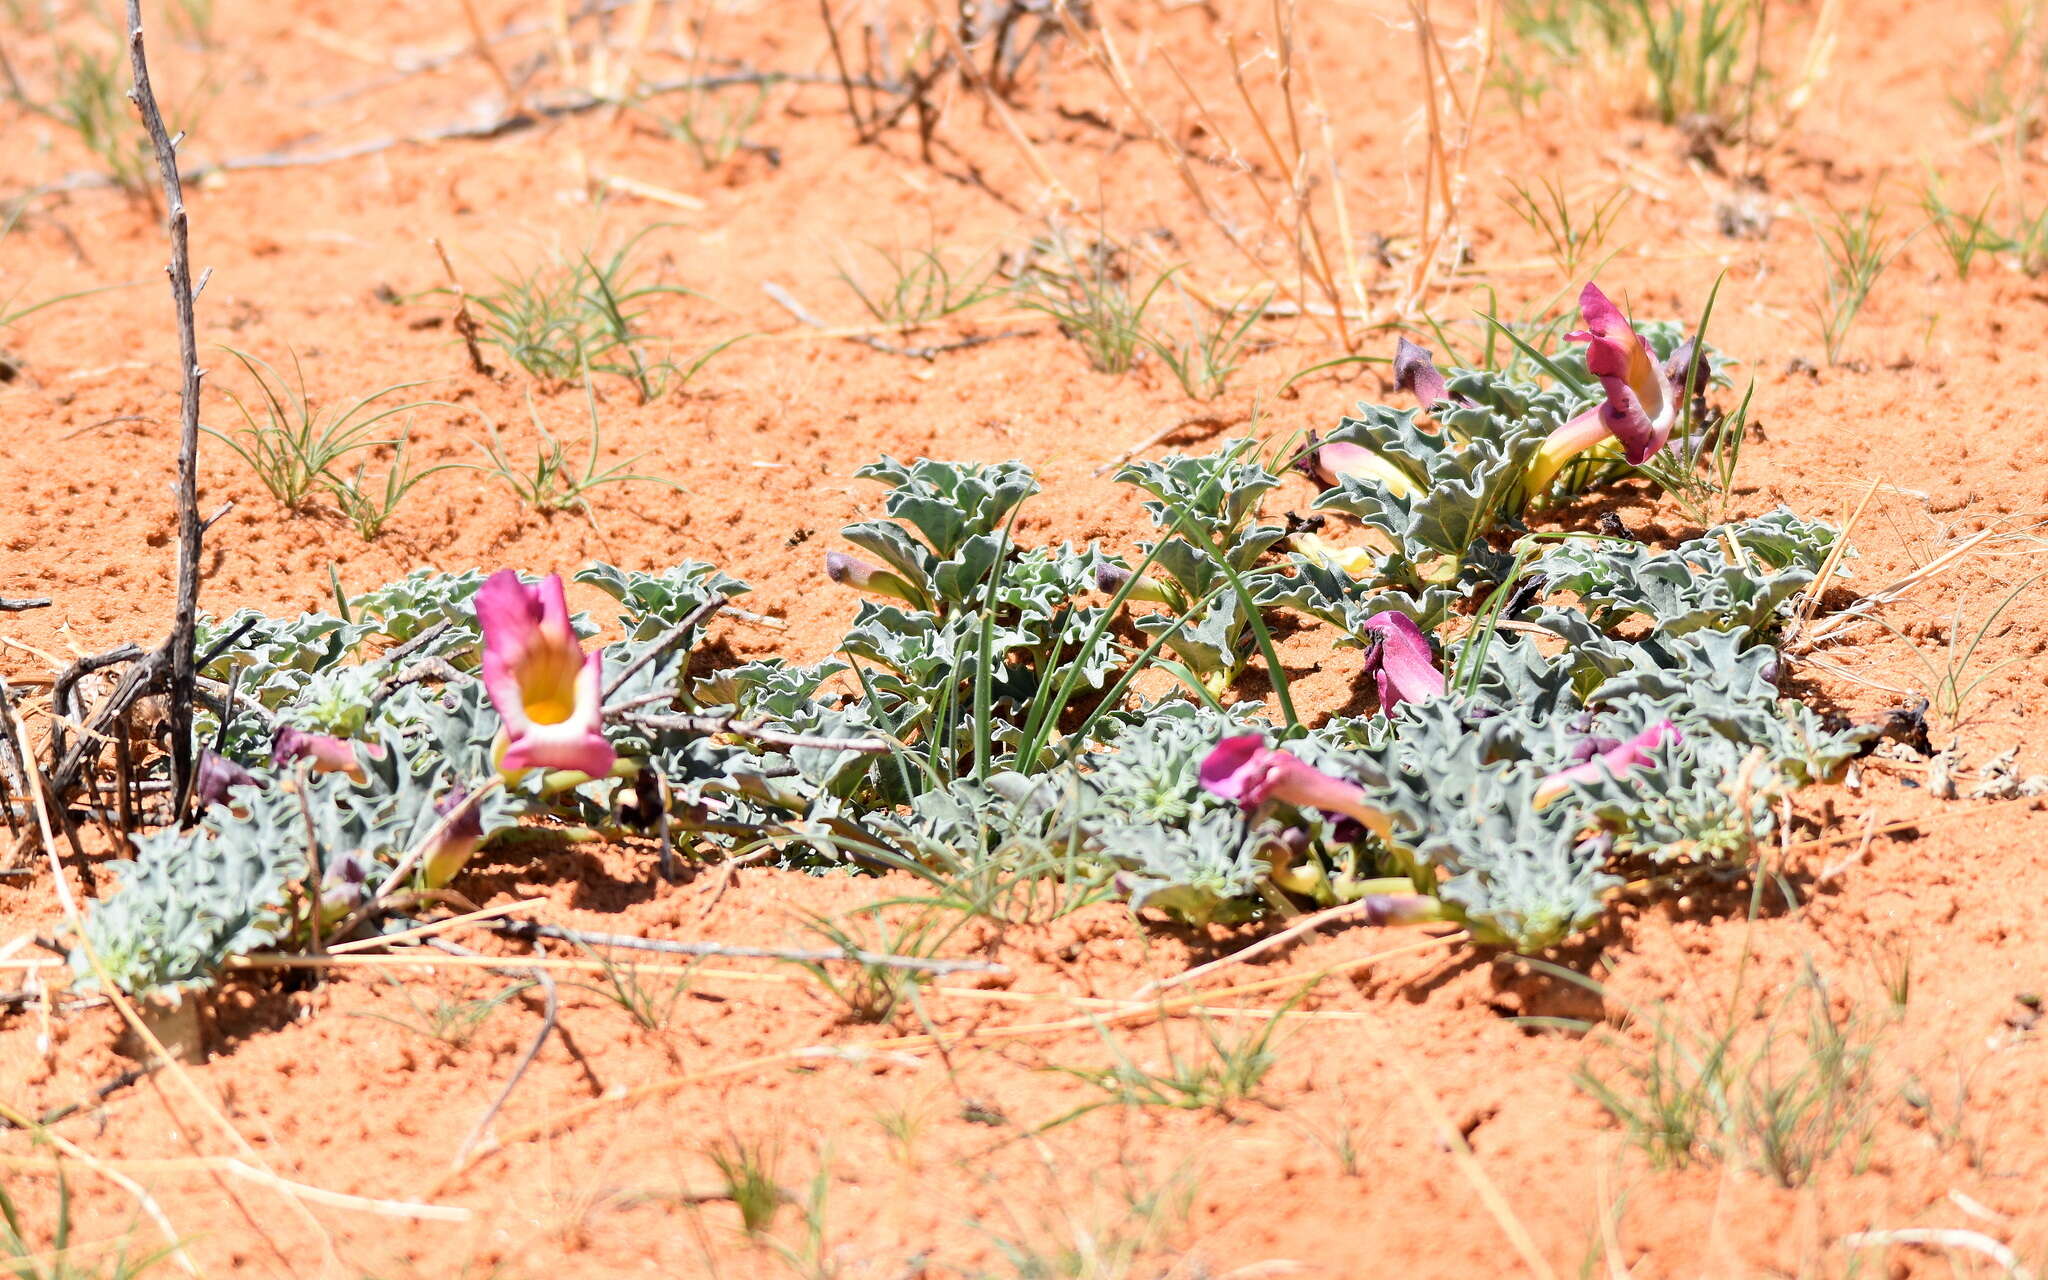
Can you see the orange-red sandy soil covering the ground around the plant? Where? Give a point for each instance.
(1414, 1123)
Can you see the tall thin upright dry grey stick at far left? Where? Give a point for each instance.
(185, 620)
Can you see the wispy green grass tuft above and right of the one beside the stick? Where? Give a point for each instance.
(579, 316)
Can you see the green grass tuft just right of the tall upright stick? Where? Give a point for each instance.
(292, 443)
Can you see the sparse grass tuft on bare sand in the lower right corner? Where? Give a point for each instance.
(1779, 1101)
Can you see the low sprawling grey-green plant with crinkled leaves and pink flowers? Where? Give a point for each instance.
(1547, 718)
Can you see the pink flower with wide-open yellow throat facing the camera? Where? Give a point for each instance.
(546, 689)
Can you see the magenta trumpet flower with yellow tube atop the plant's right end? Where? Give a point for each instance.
(1641, 404)
